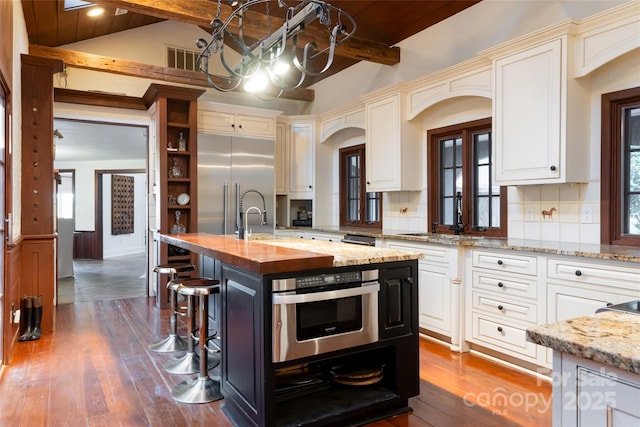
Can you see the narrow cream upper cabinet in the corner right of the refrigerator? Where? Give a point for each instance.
(301, 160)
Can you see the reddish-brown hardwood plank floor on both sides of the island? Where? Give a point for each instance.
(95, 369)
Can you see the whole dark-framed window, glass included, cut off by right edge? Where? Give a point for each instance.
(620, 168)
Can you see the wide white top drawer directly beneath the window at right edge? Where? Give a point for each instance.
(600, 274)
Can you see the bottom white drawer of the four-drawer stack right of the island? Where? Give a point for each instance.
(496, 334)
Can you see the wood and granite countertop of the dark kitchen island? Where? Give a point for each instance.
(270, 255)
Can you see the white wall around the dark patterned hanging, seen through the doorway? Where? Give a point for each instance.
(124, 244)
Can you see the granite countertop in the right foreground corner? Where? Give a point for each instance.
(611, 338)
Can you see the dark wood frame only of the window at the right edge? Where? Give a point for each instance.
(611, 167)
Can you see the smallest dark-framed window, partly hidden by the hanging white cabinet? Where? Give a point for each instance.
(357, 207)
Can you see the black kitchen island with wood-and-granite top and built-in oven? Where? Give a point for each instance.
(286, 360)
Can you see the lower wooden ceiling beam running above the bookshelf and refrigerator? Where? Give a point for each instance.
(107, 64)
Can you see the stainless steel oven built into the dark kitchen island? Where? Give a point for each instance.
(325, 312)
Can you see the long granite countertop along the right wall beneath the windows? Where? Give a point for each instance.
(595, 251)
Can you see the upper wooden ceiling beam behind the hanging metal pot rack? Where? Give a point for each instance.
(200, 13)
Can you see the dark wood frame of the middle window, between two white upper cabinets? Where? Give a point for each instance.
(433, 178)
